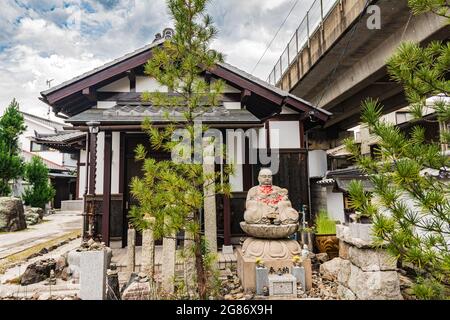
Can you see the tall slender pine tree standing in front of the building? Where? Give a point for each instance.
(172, 192)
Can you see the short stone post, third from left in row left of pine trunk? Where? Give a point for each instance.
(168, 263)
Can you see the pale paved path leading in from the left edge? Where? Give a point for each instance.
(55, 225)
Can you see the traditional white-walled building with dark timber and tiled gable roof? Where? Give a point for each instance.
(106, 104)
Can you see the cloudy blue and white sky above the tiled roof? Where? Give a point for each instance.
(56, 40)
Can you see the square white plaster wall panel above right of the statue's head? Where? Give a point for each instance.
(284, 134)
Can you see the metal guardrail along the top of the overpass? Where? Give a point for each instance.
(310, 23)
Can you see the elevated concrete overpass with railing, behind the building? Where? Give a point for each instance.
(343, 62)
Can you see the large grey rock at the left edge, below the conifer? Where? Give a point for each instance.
(12, 217)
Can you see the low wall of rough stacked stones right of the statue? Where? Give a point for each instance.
(365, 272)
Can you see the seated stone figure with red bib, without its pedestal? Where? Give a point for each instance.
(269, 204)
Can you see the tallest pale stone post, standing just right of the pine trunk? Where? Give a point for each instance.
(209, 192)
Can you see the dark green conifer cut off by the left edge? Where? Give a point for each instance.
(11, 165)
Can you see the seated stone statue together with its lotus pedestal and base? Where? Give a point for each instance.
(269, 220)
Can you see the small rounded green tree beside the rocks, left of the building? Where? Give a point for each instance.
(41, 191)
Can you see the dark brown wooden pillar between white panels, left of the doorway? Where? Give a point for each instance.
(107, 188)
